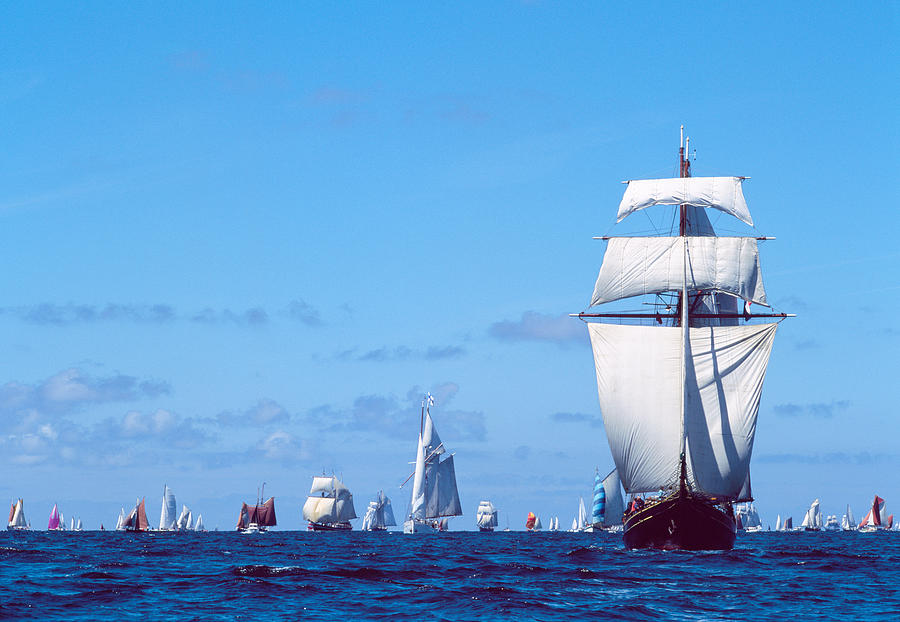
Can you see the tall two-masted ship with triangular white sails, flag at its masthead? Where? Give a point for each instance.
(434, 497)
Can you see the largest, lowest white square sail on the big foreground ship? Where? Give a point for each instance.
(639, 381)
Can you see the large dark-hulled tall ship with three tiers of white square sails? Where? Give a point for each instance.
(679, 379)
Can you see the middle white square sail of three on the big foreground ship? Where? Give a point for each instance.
(652, 265)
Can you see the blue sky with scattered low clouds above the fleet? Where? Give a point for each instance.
(241, 243)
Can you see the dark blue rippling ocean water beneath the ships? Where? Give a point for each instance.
(449, 576)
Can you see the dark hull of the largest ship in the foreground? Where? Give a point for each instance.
(680, 523)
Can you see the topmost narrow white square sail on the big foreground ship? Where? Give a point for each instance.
(722, 193)
